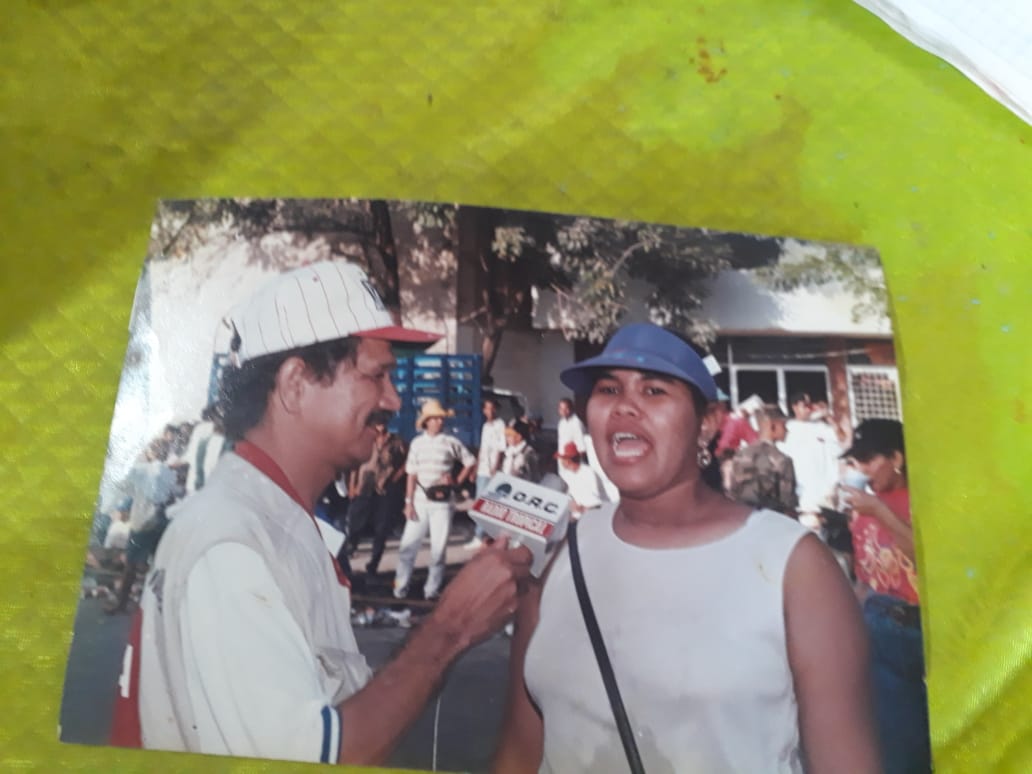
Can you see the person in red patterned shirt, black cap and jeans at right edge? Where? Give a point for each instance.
(887, 583)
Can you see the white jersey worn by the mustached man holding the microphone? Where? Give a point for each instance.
(242, 657)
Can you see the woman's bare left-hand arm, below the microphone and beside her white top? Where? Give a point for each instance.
(522, 743)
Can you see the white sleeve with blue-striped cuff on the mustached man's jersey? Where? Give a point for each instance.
(256, 693)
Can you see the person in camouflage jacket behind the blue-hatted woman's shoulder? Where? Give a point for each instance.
(761, 475)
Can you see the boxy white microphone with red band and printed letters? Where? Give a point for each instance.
(532, 515)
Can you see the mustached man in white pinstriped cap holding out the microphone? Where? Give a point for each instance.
(244, 646)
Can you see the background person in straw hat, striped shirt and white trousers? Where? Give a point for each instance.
(433, 457)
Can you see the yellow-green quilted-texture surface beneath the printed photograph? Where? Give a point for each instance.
(814, 119)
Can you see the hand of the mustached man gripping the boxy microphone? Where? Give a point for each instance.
(486, 594)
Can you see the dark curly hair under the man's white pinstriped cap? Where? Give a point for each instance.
(244, 393)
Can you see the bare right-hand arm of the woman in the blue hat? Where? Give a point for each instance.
(828, 654)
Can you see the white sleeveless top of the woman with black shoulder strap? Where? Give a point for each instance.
(697, 640)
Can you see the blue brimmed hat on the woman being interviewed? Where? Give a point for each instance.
(644, 347)
